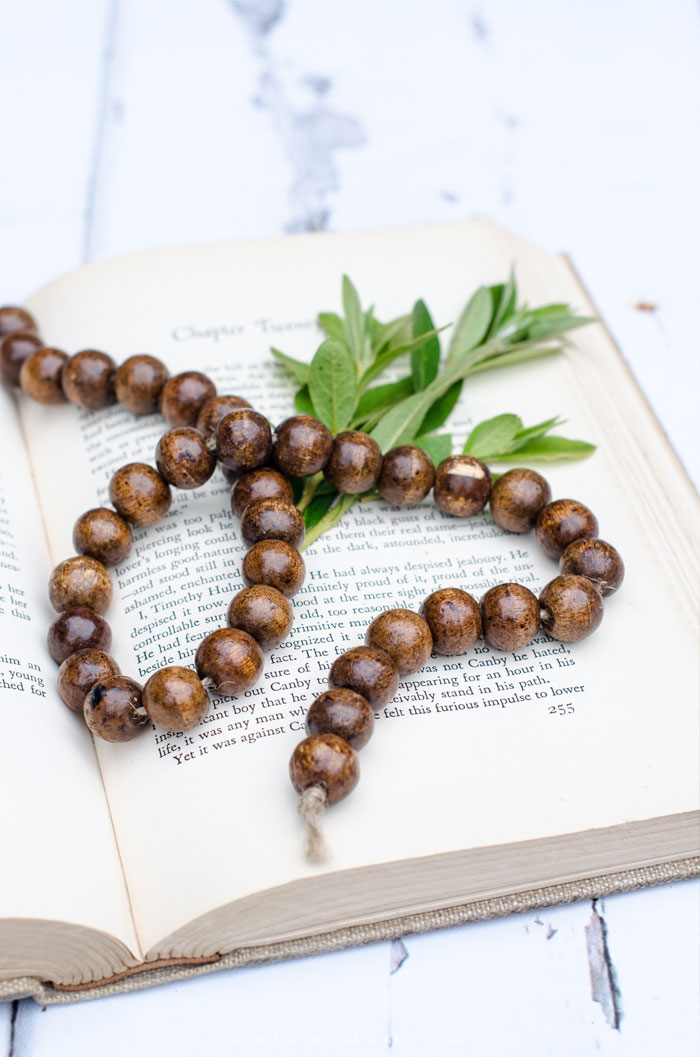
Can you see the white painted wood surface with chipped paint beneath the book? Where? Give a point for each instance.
(128, 124)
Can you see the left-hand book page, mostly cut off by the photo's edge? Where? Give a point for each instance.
(61, 857)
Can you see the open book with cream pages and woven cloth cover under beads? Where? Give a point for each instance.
(494, 782)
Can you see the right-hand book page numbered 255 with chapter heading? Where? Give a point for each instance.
(474, 751)
